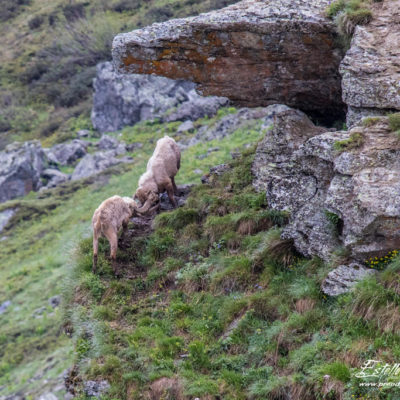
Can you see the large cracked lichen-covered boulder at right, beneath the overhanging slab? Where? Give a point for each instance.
(341, 188)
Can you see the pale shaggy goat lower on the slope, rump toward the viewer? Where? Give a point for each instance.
(110, 216)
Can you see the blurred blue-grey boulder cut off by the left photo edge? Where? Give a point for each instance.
(20, 169)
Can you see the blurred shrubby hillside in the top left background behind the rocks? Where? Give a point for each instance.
(48, 55)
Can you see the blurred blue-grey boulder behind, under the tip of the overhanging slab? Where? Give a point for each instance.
(123, 100)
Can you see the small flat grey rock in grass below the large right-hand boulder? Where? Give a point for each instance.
(343, 278)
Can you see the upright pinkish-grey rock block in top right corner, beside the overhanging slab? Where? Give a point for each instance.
(370, 70)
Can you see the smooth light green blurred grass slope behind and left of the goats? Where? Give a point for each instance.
(36, 256)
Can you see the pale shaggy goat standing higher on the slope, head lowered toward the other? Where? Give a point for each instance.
(162, 167)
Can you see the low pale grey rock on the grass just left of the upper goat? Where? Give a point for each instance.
(95, 163)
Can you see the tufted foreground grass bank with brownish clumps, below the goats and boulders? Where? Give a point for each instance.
(216, 261)
